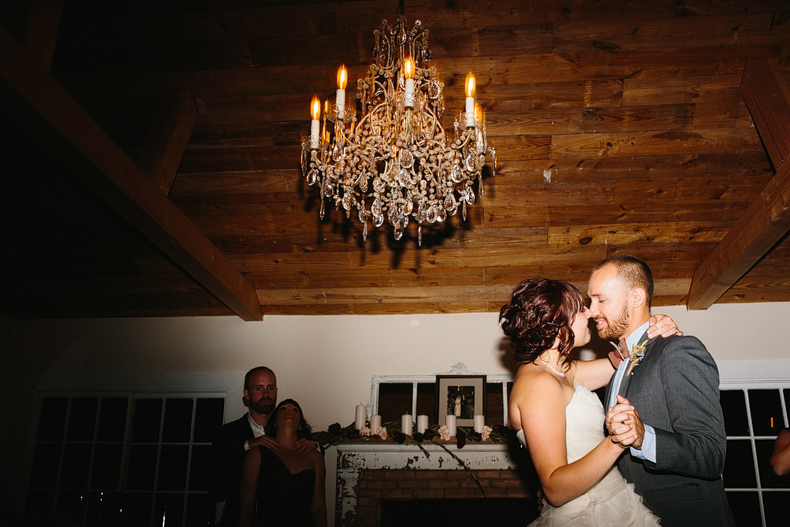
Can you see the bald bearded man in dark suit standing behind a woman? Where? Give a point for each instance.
(236, 438)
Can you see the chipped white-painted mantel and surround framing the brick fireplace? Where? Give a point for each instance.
(354, 459)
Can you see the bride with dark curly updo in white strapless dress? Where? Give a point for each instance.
(557, 416)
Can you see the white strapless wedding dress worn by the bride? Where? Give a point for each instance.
(612, 501)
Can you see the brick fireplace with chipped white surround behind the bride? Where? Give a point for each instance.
(376, 478)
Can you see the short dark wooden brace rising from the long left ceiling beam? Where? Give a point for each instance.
(167, 140)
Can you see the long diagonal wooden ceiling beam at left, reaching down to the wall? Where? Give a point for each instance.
(38, 104)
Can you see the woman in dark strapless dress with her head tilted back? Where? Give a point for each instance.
(282, 487)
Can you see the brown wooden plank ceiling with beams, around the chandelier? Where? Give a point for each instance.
(619, 127)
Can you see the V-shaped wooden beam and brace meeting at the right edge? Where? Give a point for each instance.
(767, 220)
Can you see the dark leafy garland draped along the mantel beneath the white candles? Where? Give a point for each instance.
(336, 434)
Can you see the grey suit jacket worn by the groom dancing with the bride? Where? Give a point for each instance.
(675, 389)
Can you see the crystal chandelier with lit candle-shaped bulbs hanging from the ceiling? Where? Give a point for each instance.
(396, 161)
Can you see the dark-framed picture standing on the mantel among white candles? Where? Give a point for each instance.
(461, 395)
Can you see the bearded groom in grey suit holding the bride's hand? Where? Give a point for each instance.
(670, 396)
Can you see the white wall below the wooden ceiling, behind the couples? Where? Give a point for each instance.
(325, 362)
